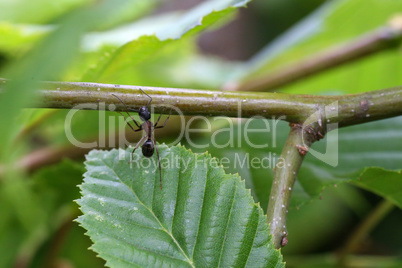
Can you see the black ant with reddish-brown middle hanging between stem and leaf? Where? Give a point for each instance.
(149, 145)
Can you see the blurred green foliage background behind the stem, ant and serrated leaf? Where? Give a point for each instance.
(161, 43)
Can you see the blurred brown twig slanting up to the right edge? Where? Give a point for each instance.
(385, 38)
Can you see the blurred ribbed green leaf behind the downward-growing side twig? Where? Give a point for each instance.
(375, 144)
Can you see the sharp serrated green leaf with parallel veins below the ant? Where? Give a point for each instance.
(201, 218)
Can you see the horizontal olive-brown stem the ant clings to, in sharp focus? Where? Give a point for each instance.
(351, 109)
